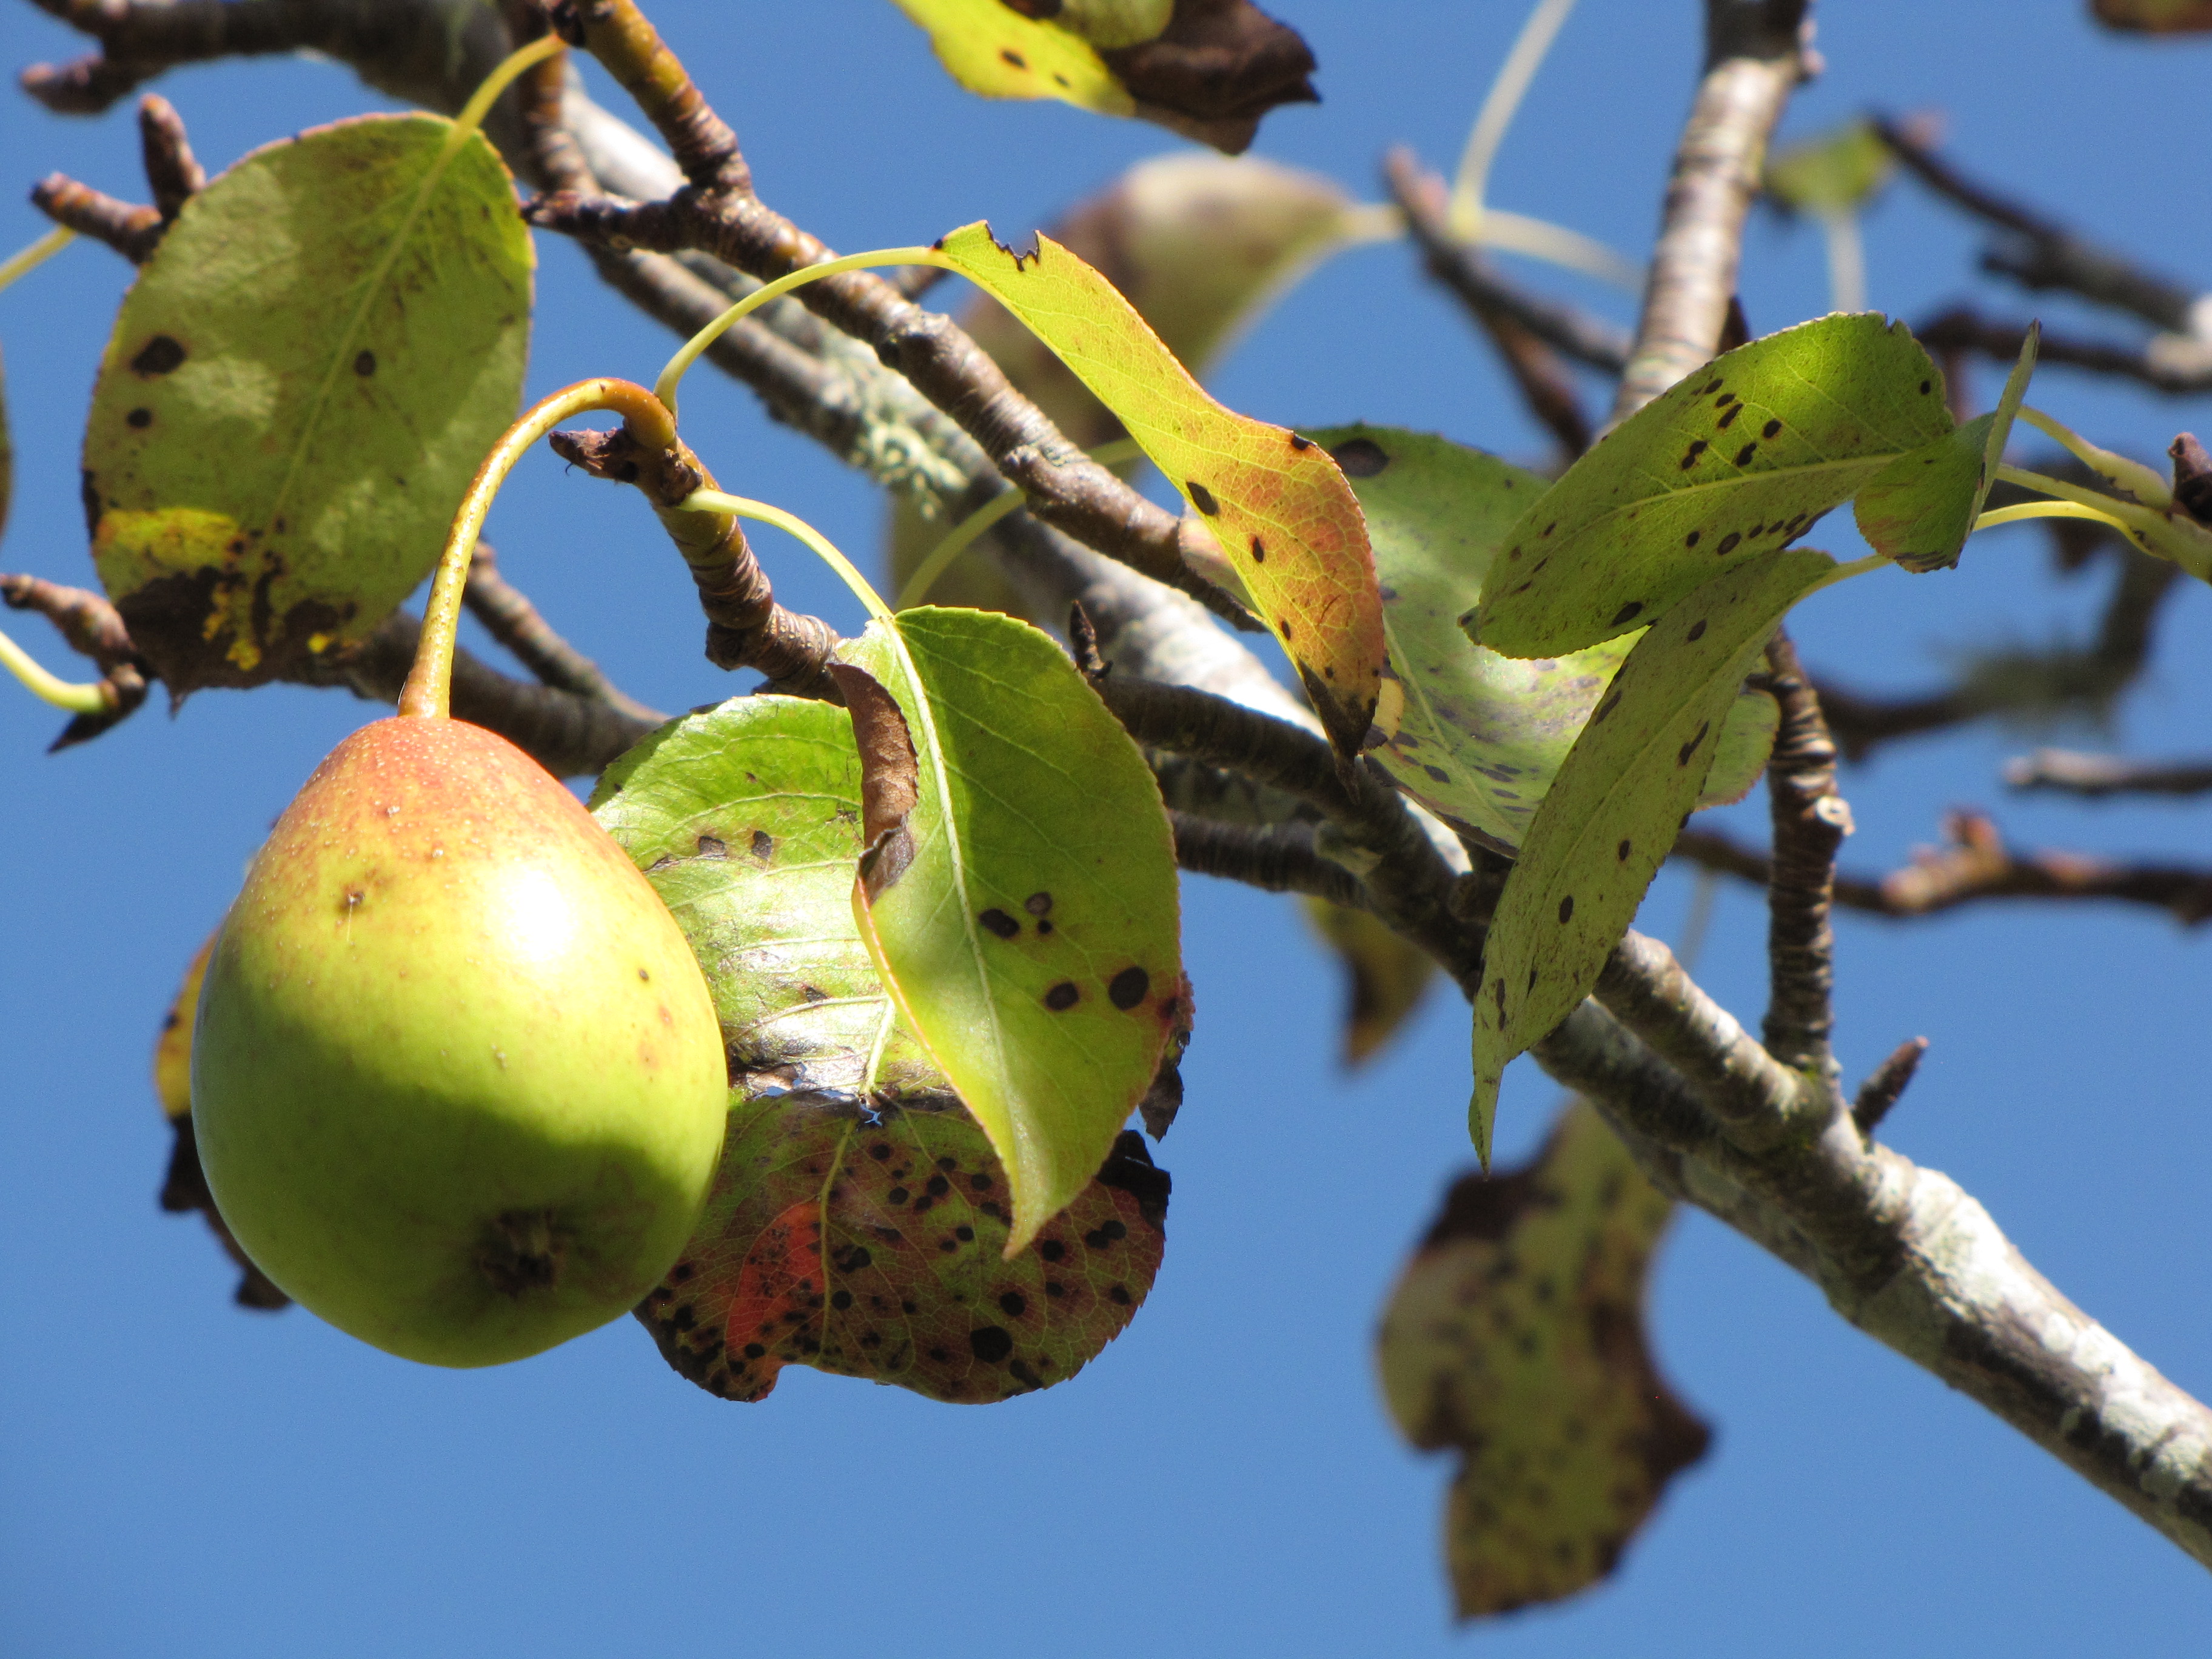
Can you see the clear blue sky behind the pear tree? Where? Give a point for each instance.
(187, 1479)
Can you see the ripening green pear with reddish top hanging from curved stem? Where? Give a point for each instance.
(457, 1078)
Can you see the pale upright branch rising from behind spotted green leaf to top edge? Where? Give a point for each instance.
(1755, 54)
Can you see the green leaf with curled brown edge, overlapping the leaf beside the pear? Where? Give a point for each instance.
(1019, 888)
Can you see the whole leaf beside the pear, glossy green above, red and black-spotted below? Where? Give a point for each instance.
(844, 1136)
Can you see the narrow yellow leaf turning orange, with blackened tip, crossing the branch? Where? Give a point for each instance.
(1275, 503)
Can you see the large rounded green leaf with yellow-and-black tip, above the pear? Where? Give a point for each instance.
(298, 393)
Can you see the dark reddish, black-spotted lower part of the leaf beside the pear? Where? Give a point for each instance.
(870, 1242)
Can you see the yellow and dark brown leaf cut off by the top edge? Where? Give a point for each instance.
(1209, 70)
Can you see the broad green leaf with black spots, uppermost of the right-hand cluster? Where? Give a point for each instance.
(1722, 468)
